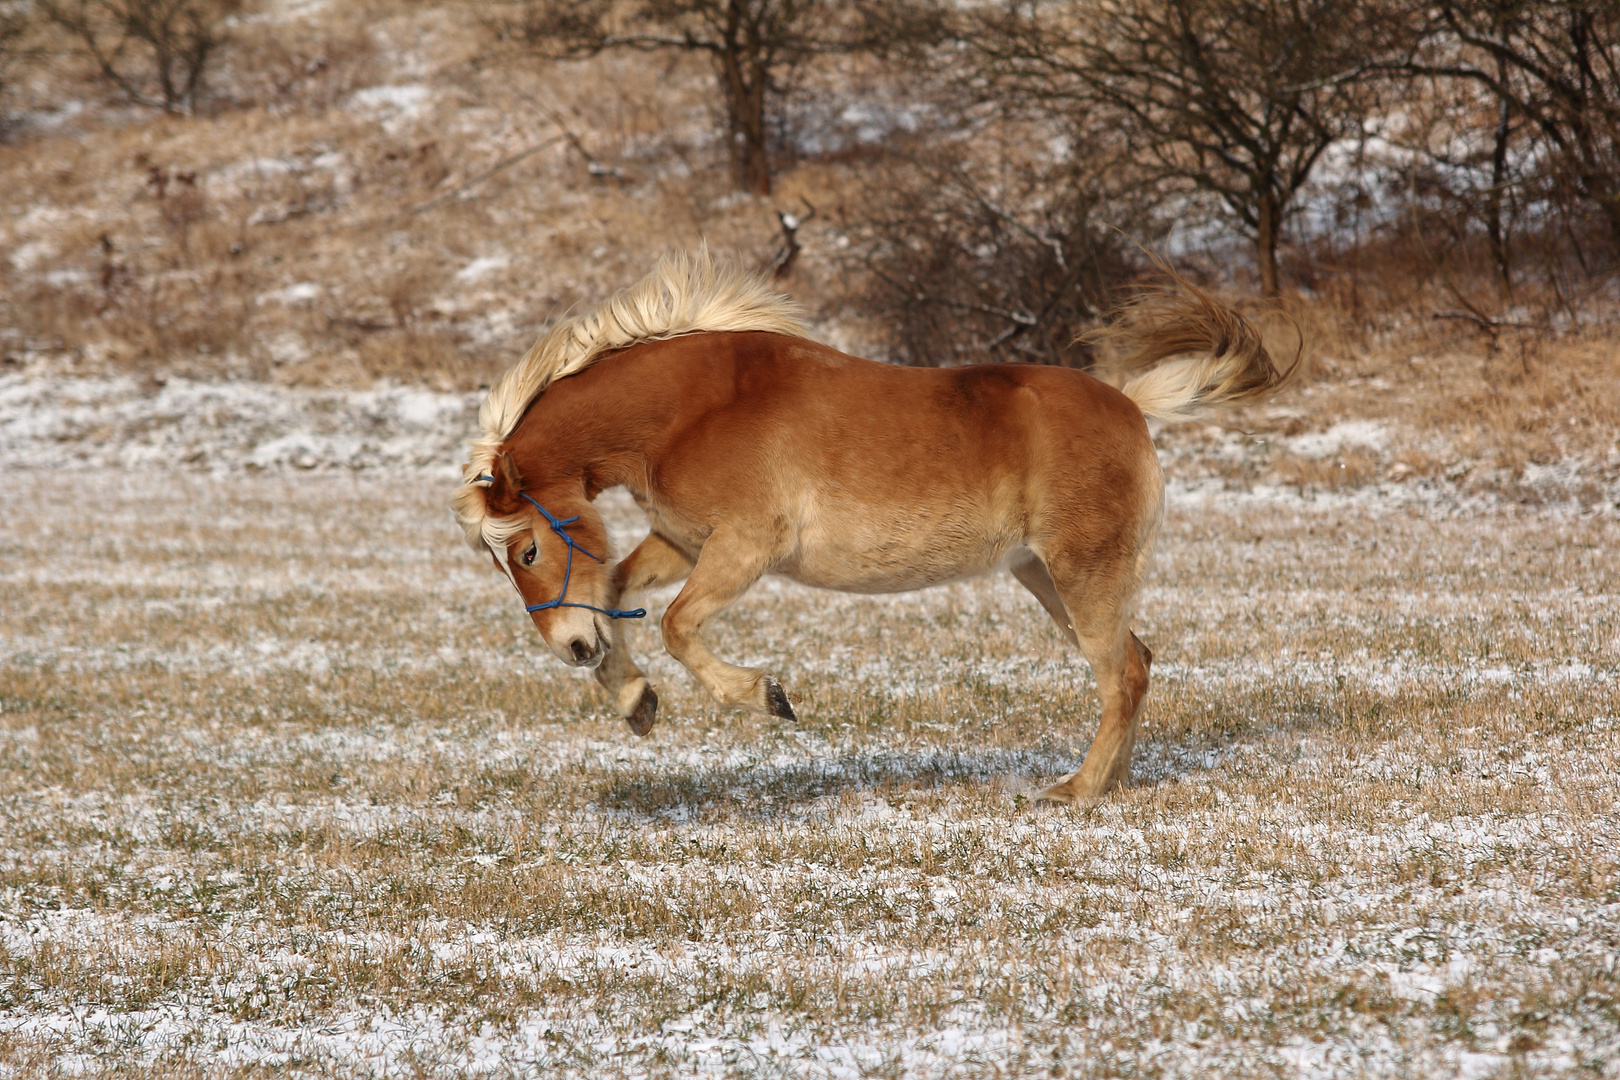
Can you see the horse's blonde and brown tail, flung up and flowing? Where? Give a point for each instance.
(1180, 352)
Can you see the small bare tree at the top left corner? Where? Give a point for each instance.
(155, 51)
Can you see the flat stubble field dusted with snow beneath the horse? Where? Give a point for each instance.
(288, 786)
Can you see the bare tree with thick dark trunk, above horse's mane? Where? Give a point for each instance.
(756, 48)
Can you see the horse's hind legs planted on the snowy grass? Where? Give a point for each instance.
(1094, 611)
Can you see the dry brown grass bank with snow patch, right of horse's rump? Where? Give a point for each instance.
(1435, 407)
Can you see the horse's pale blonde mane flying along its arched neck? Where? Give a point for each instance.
(686, 294)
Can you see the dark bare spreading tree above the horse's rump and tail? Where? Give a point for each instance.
(1234, 98)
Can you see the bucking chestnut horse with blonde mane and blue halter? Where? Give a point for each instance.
(757, 451)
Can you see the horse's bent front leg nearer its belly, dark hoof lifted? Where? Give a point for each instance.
(727, 568)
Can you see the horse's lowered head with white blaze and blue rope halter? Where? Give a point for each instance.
(553, 546)
